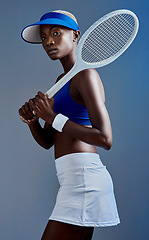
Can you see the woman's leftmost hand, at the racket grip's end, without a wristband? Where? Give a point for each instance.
(26, 112)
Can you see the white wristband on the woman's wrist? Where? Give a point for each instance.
(59, 122)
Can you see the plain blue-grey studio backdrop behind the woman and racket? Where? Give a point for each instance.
(28, 183)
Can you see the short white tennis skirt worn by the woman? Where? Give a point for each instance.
(85, 196)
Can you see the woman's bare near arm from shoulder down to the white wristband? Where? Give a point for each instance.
(90, 89)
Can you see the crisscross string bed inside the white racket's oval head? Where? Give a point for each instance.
(108, 38)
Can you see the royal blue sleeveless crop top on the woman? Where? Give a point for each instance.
(67, 106)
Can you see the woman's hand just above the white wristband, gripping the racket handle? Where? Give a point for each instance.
(43, 107)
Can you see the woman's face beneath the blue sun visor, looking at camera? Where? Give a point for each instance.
(57, 41)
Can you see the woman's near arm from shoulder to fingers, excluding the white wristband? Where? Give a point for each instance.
(89, 87)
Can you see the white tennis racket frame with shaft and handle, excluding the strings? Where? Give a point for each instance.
(80, 64)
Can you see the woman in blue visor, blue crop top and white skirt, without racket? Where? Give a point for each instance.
(76, 120)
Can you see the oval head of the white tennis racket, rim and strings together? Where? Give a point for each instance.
(107, 38)
